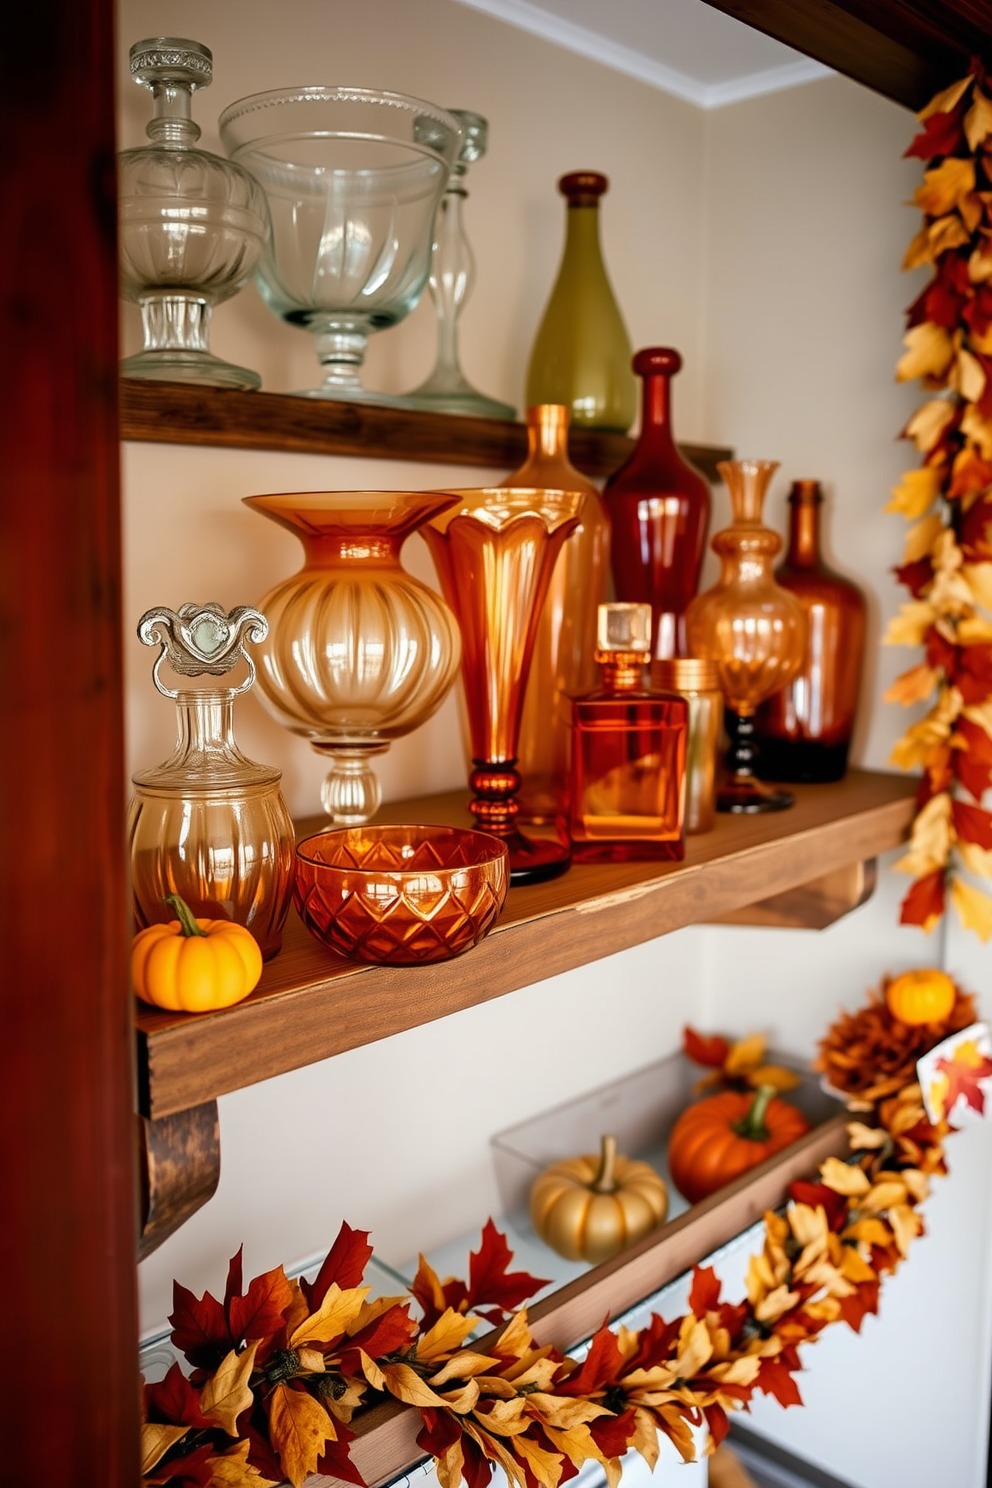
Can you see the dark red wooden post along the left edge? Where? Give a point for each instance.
(68, 1228)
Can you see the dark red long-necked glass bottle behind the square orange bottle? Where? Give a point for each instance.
(660, 513)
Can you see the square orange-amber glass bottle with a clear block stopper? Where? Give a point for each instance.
(628, 754)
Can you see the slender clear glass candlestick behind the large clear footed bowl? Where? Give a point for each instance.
(453, 275)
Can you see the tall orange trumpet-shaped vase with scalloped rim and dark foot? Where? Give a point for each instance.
(496, 553)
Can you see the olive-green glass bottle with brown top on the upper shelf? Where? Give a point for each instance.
(582, 352)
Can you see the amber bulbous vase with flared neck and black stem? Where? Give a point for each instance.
(750, 627)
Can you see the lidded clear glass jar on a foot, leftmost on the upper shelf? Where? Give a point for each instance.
(191, 225)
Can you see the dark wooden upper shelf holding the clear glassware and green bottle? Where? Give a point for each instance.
(182, 414)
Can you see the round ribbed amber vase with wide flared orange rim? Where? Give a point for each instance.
(359, 652)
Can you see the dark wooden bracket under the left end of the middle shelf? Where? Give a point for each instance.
(181, 1161)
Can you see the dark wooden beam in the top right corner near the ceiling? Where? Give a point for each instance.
(904, 50)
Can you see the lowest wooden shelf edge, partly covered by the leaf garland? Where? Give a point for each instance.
(386, 1437)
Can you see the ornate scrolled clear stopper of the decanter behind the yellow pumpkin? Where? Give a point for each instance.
(202, 639)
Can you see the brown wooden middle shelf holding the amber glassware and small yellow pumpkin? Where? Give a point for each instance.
(312, 1004)
